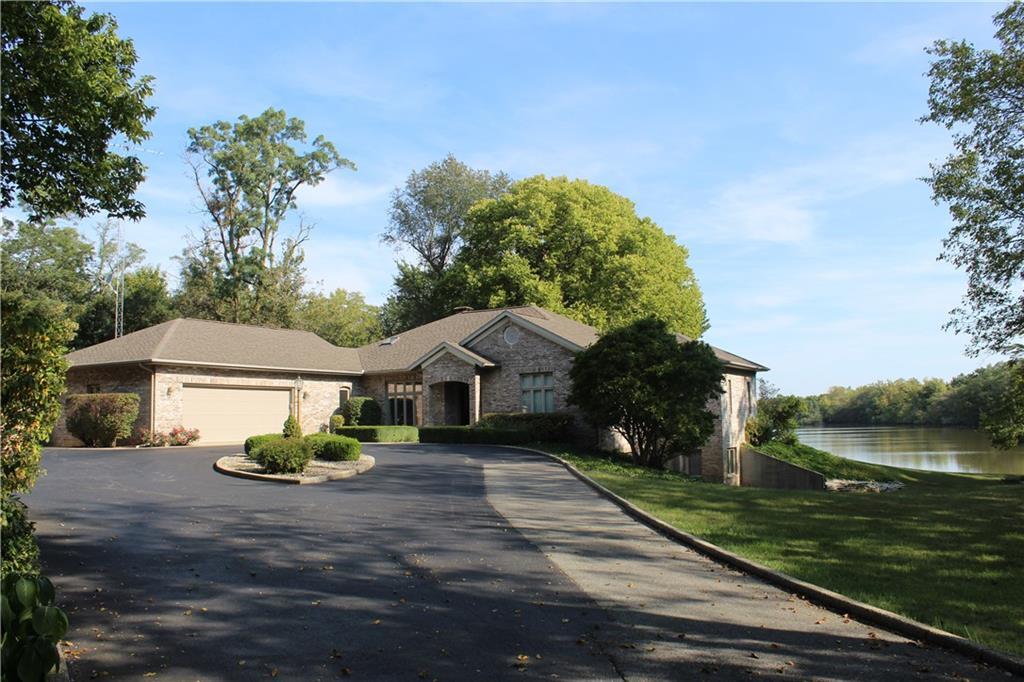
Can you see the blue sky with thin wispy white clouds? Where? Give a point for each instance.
(780, 144)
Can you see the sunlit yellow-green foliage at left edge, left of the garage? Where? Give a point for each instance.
(36, 333)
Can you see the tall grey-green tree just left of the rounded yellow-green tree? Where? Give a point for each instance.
(428, 218)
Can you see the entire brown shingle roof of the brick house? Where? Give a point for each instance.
(205, 343)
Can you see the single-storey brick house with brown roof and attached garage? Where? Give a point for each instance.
(232, 381)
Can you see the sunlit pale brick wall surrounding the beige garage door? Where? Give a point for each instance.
(320, 399)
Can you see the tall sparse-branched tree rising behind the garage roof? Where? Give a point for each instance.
(247, 176)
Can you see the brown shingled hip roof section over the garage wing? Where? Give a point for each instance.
(203, 343)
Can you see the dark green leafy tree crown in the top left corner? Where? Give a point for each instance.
(69, 92)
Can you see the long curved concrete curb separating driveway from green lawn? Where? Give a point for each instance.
(827, 599)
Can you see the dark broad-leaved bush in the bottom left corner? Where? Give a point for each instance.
(32, 628)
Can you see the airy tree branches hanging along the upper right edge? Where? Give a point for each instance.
(979, 97)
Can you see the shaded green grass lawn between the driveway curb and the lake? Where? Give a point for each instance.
(947, 550)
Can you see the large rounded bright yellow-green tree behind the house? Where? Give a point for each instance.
(578, 249)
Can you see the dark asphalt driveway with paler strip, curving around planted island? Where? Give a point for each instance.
(444, 563)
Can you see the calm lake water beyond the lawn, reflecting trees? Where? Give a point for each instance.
(930, 448)
